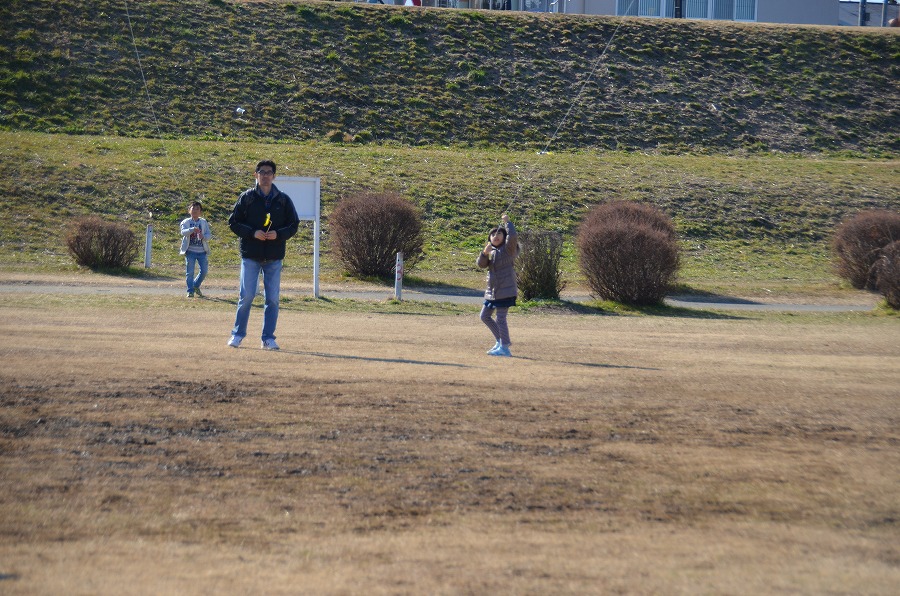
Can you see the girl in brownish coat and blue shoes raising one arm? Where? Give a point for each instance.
(499, 258)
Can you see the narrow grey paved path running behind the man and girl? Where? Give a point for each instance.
(456, 295)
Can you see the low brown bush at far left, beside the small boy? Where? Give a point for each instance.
(99, 244)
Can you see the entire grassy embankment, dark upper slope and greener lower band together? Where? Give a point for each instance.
(459, 77)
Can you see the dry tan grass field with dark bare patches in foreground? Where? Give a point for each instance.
(384, 453)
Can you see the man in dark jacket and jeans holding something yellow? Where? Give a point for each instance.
(263, 218)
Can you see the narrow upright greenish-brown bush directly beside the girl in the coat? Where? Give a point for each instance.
(537, 266)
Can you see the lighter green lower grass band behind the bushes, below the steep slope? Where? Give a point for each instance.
(717, 202)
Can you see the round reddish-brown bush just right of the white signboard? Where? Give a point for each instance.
(368, 229)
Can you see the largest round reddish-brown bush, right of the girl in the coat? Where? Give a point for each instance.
(628, 254)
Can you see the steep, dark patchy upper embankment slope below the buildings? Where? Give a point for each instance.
(305, 70)
